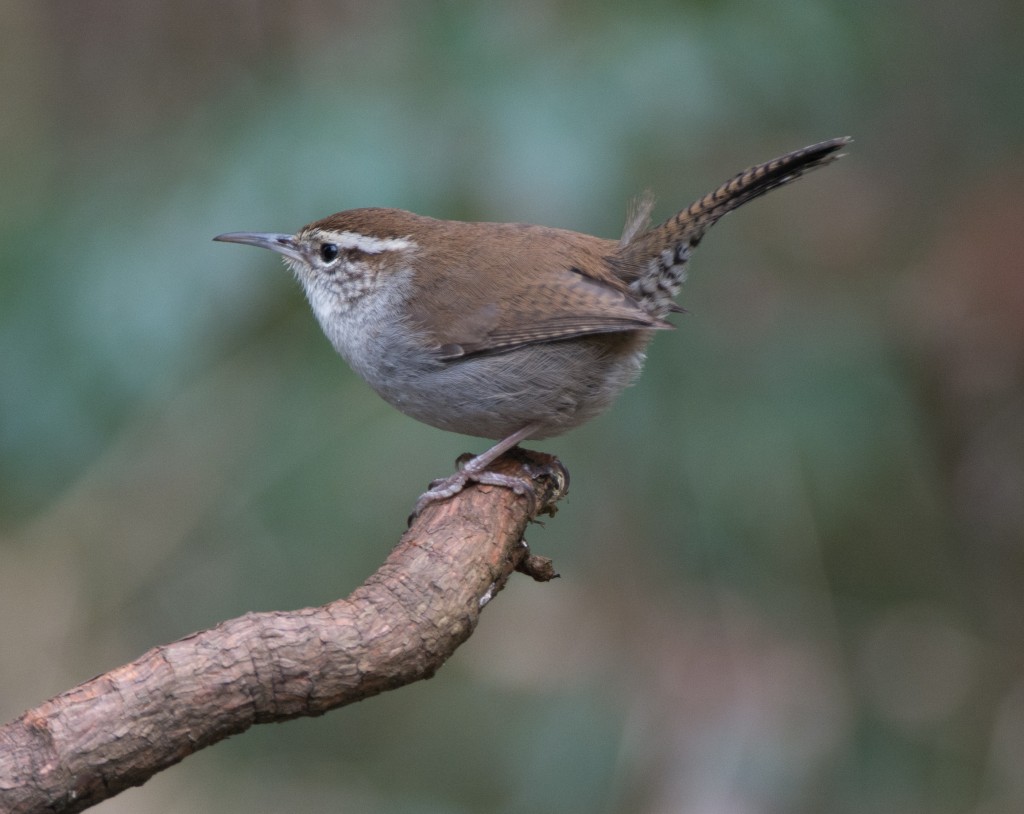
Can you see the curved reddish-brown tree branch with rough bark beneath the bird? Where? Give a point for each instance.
(119, 730)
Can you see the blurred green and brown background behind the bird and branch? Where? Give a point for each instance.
(793, 563)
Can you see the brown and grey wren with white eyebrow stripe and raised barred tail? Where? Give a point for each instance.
(505, 331)
